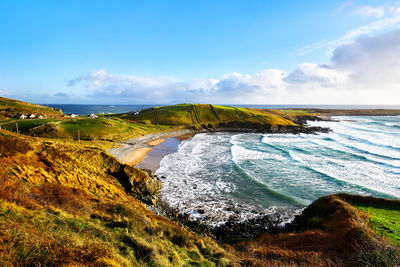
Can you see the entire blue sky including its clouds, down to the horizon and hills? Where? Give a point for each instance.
(218, 52)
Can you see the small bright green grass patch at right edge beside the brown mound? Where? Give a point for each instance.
(384, 219)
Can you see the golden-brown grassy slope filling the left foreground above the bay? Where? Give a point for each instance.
(64, 204)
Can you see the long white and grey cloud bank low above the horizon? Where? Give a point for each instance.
(364, 71)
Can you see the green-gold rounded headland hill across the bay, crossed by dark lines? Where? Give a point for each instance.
(191, 114)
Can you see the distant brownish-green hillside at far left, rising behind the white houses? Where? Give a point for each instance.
(11, 107)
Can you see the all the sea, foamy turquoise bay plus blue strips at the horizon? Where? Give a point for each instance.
(219, 177)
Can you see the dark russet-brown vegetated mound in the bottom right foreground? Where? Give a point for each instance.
(330, 232)
